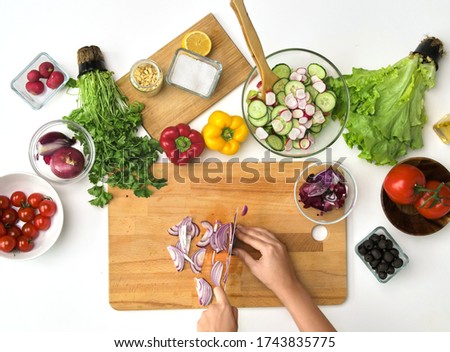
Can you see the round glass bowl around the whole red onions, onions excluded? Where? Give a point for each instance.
(83, 142)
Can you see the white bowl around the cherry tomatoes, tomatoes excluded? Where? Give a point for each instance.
(31, 183)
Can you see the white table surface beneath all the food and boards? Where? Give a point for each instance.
(67, 288)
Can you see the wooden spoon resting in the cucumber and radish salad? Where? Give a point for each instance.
(268, 78)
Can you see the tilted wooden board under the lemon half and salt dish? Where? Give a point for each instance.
(173, 105)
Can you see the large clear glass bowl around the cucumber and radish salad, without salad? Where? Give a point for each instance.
(321, 137)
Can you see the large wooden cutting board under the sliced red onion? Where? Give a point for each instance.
(142, 274)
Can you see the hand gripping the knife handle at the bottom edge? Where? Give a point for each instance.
(220, 316)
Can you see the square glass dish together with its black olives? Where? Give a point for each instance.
(381, 254)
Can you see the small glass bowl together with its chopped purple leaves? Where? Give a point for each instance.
(330, 191)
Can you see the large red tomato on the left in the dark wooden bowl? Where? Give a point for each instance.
(401, 181)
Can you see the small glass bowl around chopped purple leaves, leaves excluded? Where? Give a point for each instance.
(336, 214)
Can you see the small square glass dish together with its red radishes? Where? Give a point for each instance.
(40, 80)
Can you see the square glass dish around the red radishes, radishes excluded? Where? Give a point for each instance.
(19, 82)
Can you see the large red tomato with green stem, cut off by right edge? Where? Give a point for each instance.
(434, 205)
